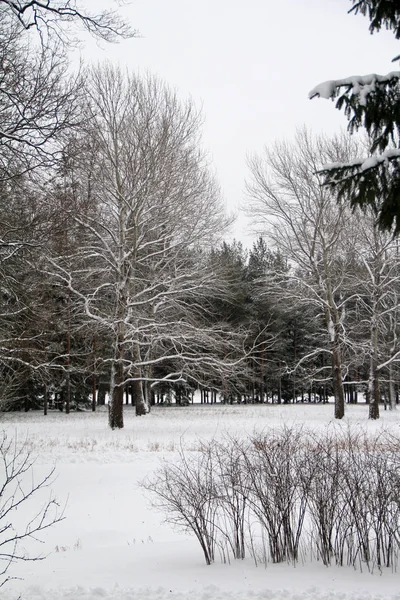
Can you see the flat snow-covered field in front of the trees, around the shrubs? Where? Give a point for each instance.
(113, 546)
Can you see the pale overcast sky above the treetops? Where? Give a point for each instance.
(250, 64)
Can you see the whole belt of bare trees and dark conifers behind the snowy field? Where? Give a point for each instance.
(118, 276)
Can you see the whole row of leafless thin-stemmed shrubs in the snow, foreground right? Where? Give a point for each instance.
(334, 494)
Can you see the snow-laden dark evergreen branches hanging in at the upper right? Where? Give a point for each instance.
(371, 102)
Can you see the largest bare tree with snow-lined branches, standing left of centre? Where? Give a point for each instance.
(141, 275)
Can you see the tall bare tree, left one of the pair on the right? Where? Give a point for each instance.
(303, 221)
